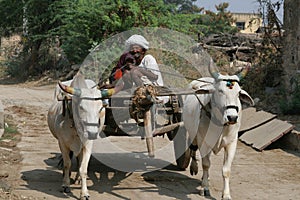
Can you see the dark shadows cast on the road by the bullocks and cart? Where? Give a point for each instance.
(168, 181)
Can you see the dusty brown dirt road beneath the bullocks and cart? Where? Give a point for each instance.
(28, 167)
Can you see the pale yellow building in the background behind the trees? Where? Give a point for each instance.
(247, 22)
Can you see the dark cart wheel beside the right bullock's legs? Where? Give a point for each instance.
(182, 150)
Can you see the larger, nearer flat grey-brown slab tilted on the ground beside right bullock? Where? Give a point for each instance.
(262, 136)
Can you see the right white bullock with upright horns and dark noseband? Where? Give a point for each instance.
(212, 119)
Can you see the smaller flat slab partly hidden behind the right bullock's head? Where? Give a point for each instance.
(252, 119)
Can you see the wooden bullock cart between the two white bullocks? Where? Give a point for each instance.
(148, 112)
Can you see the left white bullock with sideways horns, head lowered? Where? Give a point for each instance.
(76, 123)
